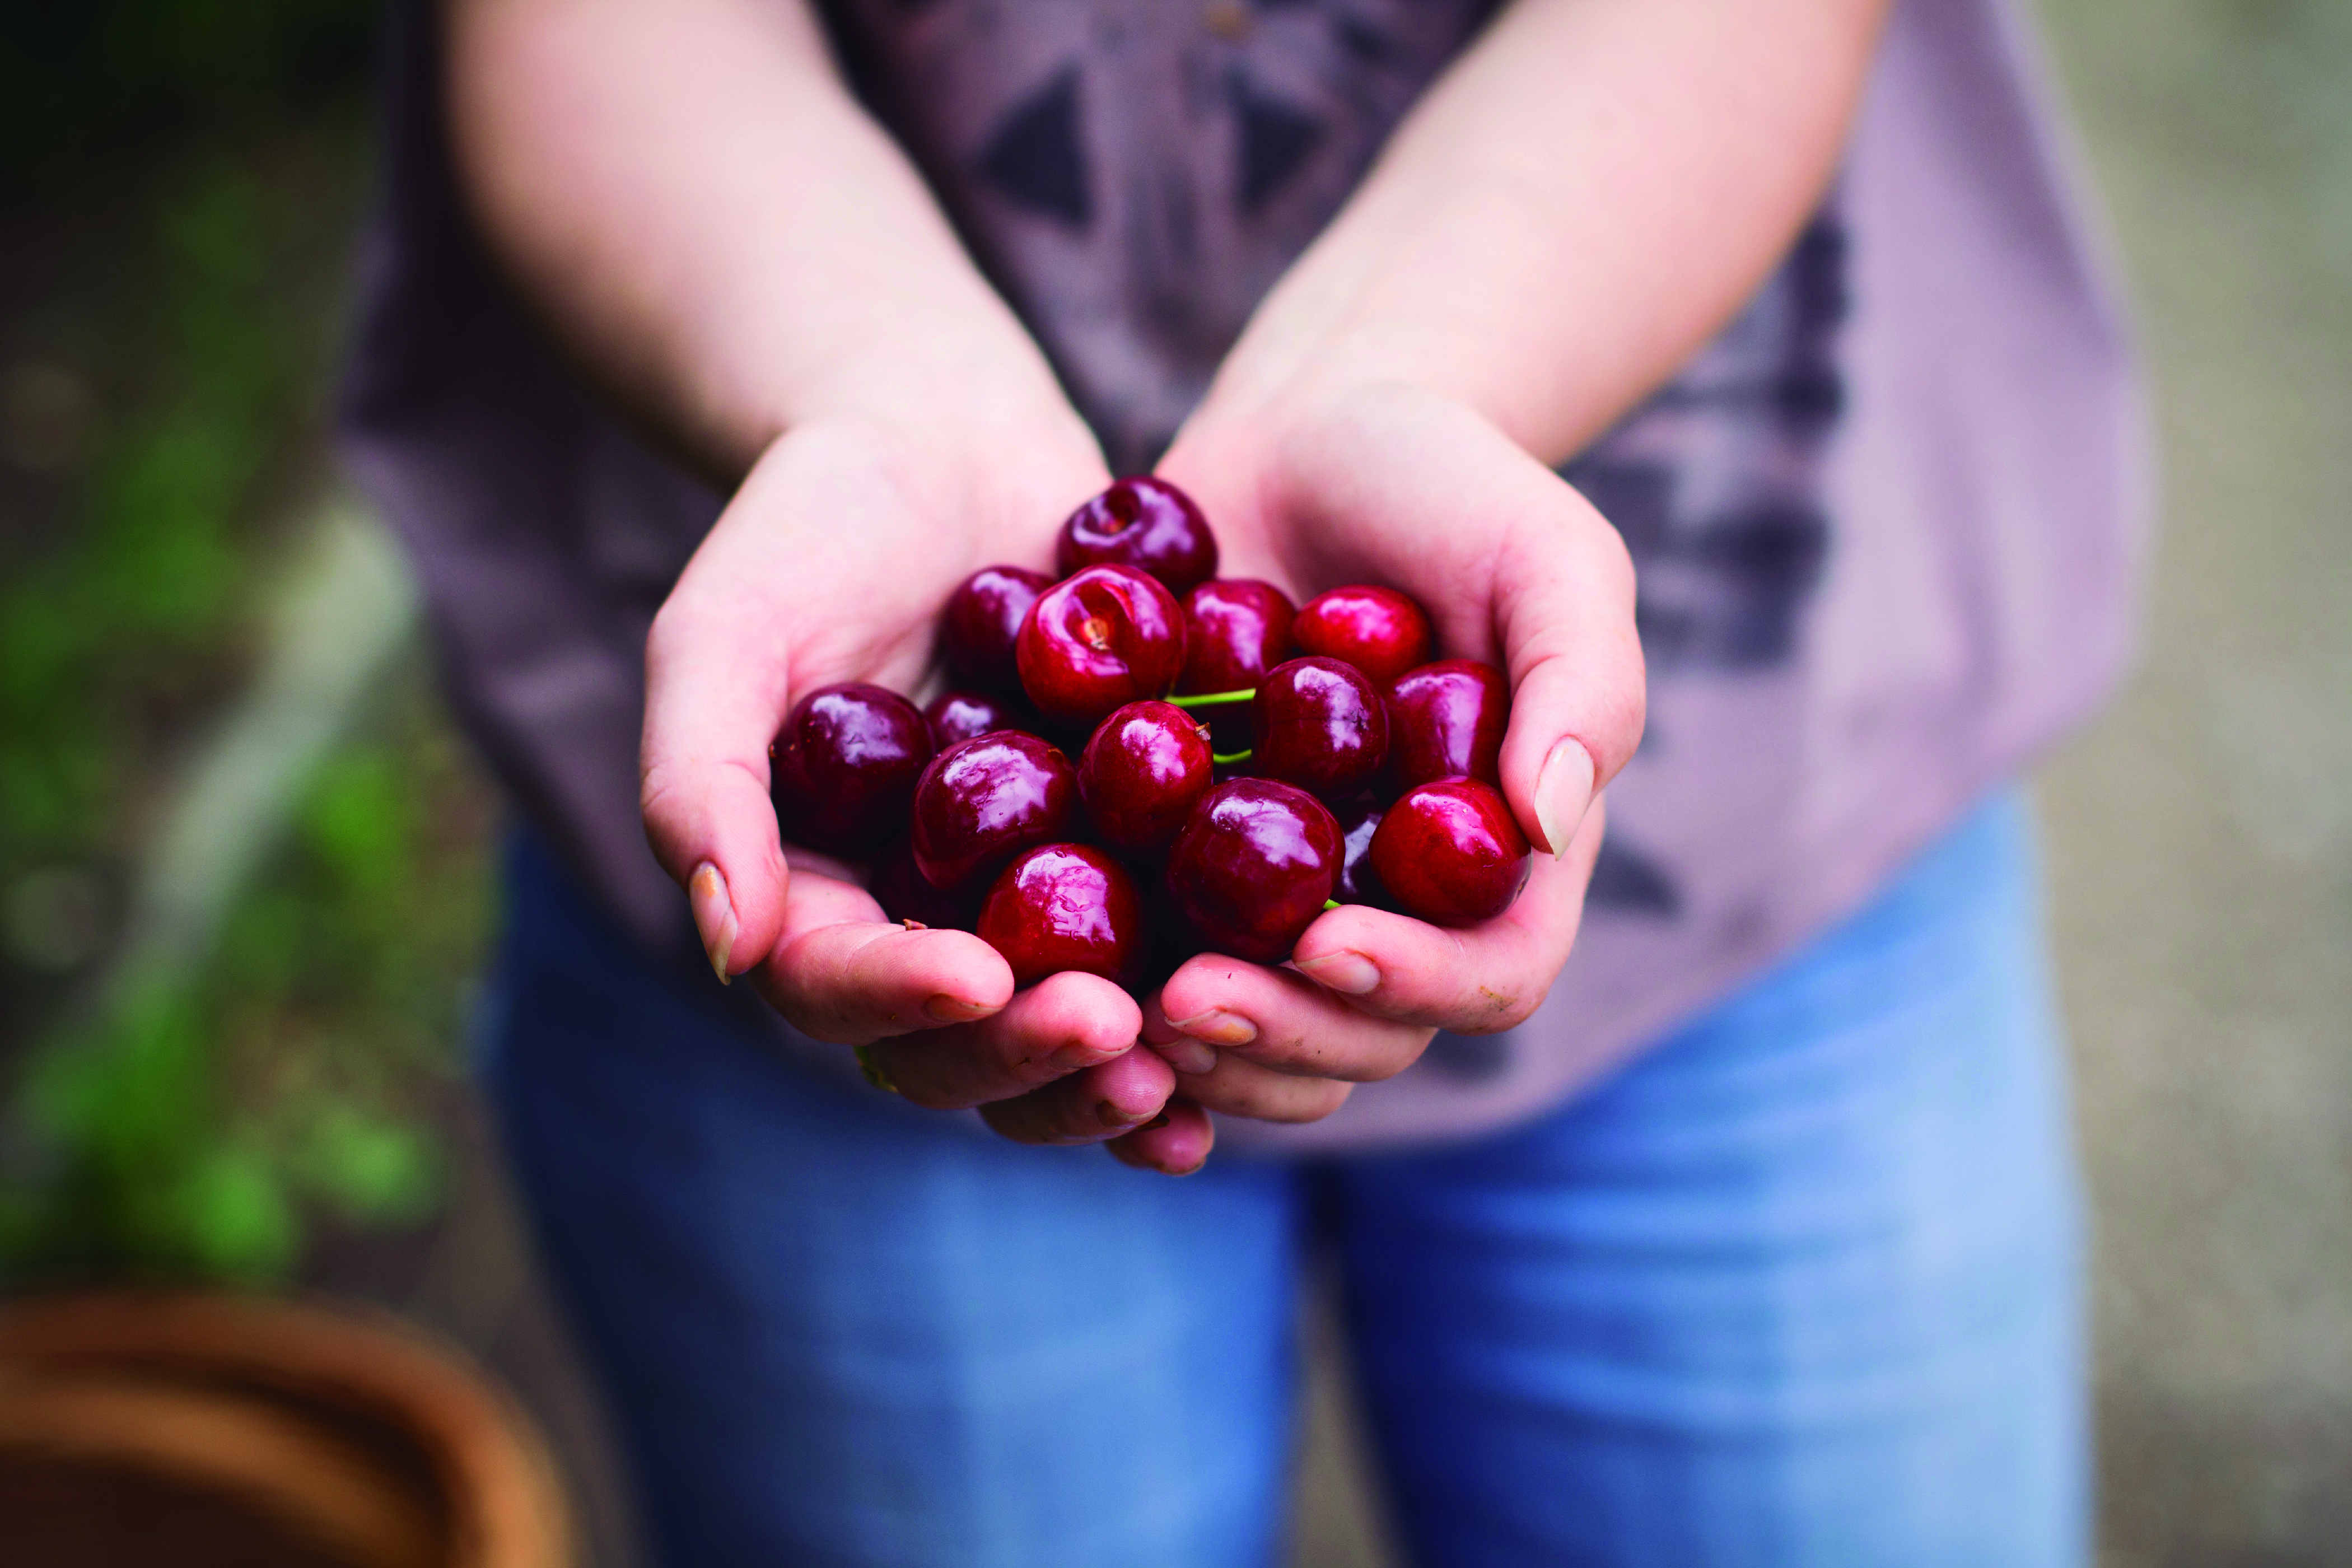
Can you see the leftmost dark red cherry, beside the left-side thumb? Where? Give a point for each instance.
(846, 768)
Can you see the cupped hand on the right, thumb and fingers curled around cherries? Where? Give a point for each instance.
(1403, 488)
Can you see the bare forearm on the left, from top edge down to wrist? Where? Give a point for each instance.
(719, 232)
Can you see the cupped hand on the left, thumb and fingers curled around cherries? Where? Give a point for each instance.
(831, 565)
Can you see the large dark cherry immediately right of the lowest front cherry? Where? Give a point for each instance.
(1255, 866)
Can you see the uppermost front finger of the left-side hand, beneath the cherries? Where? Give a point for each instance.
(848, 977)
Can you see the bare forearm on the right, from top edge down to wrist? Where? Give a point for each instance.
(1577, 206)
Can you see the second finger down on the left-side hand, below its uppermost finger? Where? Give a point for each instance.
(1060, 1026)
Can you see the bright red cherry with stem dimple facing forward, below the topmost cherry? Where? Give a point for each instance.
(1097, 641)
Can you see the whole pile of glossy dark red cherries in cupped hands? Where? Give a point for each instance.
(1243, 765)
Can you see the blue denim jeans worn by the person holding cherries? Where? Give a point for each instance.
(1798, 1287)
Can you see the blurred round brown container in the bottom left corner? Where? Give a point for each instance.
(182, 1430)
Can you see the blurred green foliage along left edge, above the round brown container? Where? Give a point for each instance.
(196, 173)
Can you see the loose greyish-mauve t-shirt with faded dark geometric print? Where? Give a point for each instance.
(1887, 525)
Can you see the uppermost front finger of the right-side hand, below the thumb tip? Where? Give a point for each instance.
(1471, 979)
